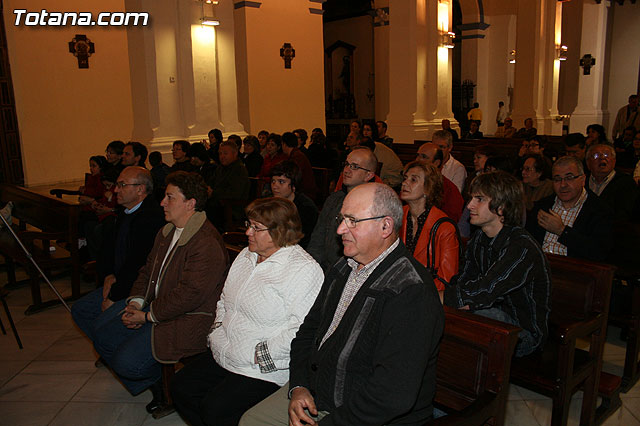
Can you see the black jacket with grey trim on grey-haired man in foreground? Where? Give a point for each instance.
(379, 365)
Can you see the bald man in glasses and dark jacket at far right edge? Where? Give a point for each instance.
(616, 189)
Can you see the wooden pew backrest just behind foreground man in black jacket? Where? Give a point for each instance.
(475, 357)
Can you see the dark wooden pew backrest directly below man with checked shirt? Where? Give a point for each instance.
(580, 287)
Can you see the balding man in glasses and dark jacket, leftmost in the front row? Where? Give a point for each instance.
(124, 250)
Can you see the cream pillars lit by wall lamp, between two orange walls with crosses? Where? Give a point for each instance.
(182, 73)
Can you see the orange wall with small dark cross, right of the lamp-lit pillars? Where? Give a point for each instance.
(269, 96)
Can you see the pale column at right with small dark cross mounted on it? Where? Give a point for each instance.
(591, 87)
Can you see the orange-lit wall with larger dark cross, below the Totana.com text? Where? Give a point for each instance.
(66, 114)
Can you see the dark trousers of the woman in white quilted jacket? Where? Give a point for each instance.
(206, 394)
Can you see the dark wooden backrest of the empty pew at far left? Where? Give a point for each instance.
(43, 212)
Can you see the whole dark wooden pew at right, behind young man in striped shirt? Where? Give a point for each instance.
(580, 306)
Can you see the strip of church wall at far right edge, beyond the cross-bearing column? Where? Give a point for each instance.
(624, 63)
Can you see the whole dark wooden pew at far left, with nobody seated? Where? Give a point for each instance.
(57, 220)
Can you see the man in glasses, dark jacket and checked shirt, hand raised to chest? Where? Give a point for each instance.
(573, 222)
